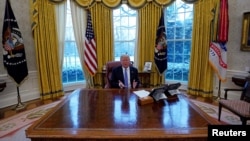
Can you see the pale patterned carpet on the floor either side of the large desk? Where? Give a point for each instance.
(13, 128)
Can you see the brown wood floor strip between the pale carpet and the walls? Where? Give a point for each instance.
(10, 111)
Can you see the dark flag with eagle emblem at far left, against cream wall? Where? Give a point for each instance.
(14, 58)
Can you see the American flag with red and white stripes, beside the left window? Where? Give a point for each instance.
(90, 59)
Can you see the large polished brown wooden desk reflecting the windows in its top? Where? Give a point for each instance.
(114, 114)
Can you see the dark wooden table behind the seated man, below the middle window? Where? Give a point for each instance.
(143, 76)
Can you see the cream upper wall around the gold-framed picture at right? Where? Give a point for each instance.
(237, 60)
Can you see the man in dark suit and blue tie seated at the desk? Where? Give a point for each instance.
(123, 72)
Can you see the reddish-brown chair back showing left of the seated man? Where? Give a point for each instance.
(109, 67)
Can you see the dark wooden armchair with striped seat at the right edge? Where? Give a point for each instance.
(240, 107)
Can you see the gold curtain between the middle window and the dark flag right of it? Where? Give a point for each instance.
(149, 17)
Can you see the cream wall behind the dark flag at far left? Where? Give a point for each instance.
(29, 89)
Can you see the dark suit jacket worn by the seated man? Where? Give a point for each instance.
(117, 74)
